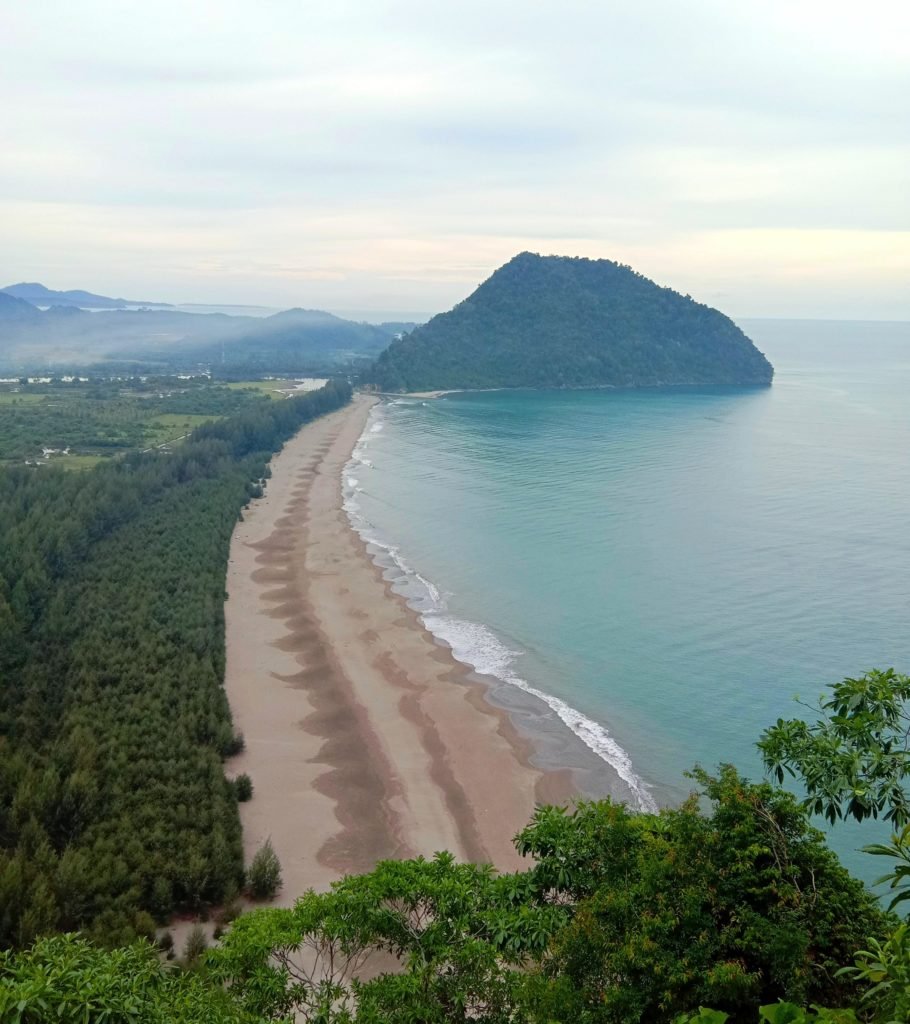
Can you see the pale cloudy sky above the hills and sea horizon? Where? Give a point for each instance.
(389, 156)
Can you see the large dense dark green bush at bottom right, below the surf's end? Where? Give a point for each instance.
(730, 910)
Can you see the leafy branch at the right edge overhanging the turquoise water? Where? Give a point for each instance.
(856, 759)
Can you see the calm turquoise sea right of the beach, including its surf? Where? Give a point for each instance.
(653, 576)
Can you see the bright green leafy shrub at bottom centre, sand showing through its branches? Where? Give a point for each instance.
(442, 942)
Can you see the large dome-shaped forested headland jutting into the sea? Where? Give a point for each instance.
(561, 322)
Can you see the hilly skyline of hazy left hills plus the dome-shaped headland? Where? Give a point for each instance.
(537, 322)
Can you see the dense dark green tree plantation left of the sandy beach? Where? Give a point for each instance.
(115, 809)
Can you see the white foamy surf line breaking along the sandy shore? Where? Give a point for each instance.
(474, 645)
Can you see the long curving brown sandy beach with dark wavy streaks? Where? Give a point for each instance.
(364, 738)
